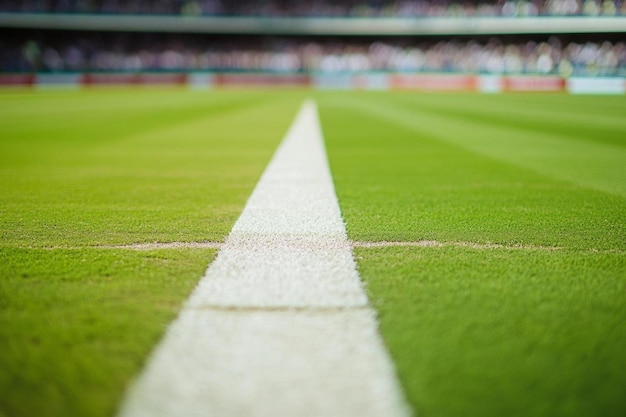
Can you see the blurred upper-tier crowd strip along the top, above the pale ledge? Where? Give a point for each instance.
(325, 8)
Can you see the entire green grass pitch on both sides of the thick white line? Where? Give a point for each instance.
(489, 231)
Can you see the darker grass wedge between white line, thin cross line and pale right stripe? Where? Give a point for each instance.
(407, 182)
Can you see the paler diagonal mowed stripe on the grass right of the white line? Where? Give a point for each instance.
(588, 164)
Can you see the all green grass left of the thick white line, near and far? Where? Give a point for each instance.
(83, 170)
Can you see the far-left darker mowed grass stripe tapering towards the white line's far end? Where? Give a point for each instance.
(102, 116)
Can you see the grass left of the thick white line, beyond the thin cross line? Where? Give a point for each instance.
(151, 182)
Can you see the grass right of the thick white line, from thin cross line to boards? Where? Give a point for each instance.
(403, 173)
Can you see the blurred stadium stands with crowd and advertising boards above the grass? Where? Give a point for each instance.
(488, 45)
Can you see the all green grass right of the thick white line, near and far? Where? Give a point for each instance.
(486, 332)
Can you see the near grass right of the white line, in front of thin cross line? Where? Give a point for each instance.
(503, 332)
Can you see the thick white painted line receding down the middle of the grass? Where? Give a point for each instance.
(279, 325)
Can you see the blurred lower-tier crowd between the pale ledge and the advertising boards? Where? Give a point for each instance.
(493, 56)
